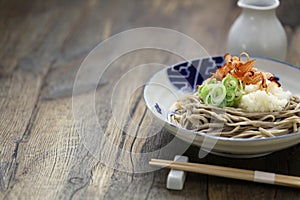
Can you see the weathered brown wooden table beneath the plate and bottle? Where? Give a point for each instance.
(42, 151)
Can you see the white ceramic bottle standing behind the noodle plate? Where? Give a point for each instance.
(257, 30)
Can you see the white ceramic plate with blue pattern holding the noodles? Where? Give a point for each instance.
(176, 81)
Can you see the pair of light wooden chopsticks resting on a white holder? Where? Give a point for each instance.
(228, 172)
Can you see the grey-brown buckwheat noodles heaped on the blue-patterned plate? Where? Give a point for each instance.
(190, 113)
